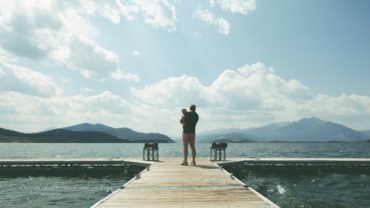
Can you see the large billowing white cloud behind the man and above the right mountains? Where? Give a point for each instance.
(253, 95)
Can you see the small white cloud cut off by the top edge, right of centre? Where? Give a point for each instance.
(235, 6)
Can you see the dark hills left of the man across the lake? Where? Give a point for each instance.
(84, 133)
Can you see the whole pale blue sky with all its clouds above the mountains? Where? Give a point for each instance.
(137, 63)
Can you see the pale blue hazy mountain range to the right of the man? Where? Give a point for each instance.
(305, 130)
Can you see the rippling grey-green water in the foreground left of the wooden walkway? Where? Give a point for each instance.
(77, 191)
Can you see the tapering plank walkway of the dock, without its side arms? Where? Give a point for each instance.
(168, 184)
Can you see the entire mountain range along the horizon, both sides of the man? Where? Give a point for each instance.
(305, 130)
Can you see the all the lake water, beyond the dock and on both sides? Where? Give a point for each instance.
(311, 189)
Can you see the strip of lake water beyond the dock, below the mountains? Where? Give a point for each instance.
(12, 150)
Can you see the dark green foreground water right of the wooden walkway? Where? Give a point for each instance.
(309, 187)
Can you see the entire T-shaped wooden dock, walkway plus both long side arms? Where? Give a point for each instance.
(168, 184)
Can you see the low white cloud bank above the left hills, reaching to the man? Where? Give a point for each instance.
(30, 114)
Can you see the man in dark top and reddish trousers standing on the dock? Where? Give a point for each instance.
(188, 136)
